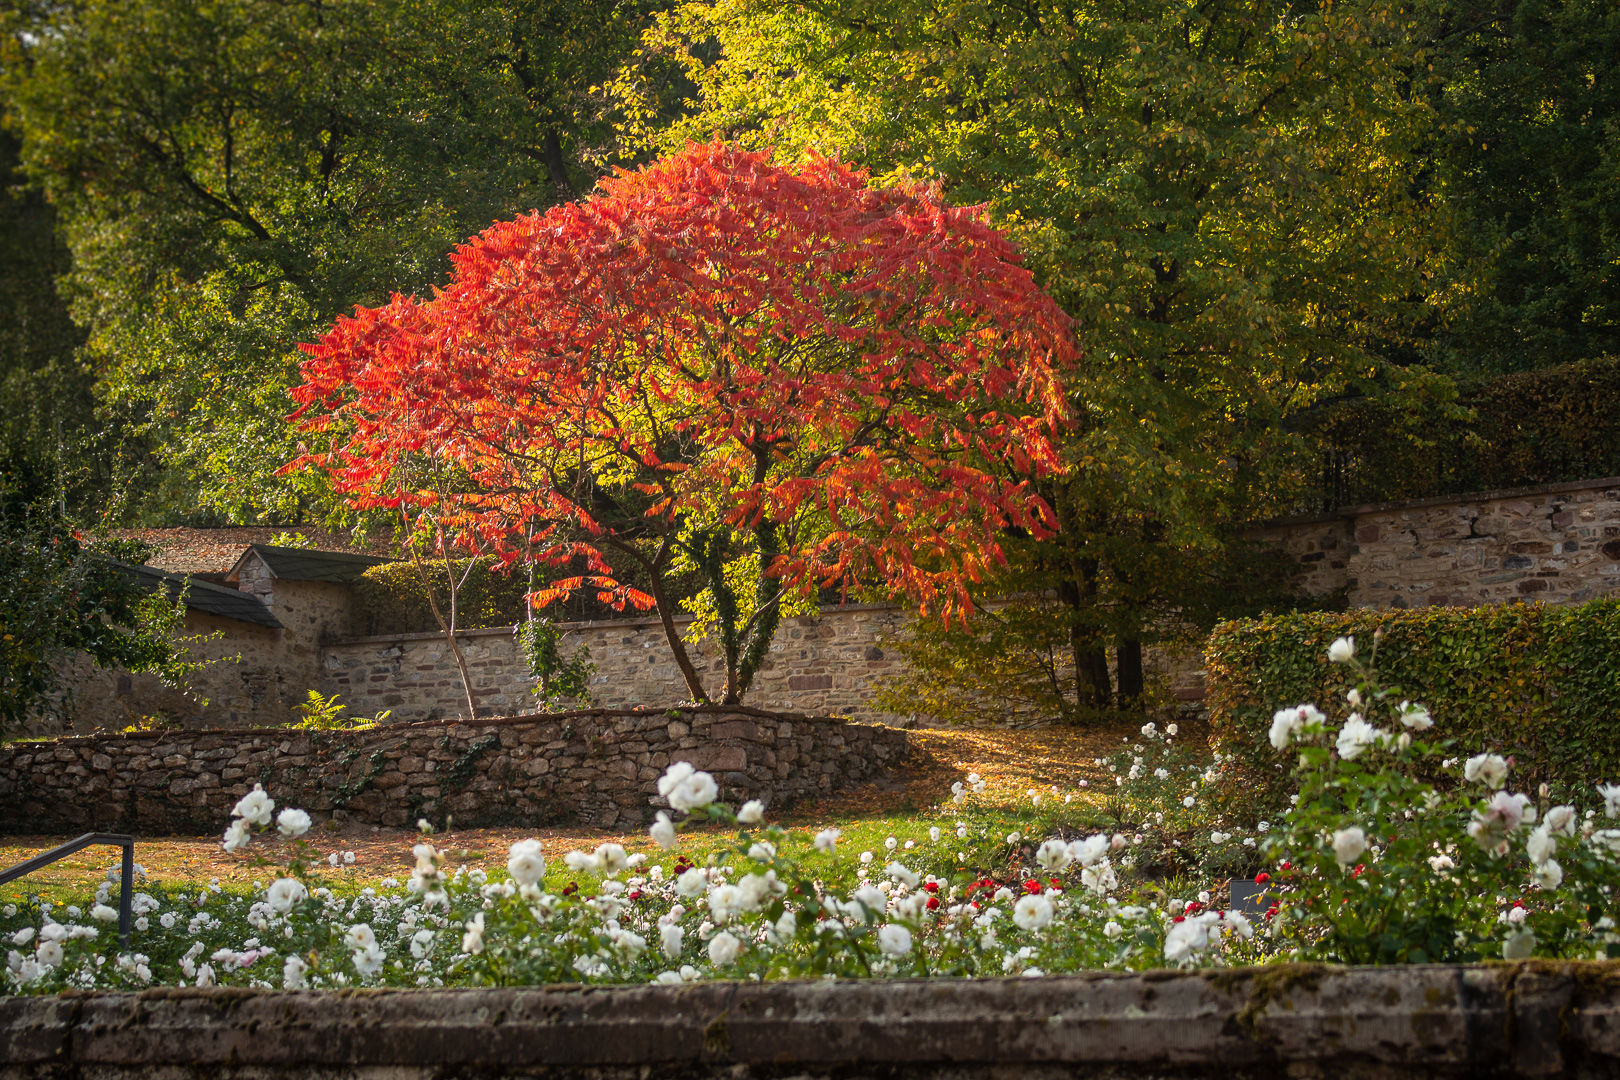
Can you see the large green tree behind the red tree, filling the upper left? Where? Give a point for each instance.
(231, 177)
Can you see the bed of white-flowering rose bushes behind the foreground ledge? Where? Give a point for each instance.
(1371, 865)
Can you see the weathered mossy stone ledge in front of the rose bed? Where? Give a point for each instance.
(1483, 1021)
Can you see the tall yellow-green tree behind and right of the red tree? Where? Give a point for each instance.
(1224, 195)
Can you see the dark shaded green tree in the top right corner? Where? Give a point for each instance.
(1530, 95)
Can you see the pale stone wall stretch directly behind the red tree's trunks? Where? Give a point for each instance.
(829, 665)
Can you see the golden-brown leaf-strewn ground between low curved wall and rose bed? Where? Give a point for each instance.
(1012, 762)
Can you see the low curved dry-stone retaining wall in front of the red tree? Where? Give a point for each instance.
(597, 767)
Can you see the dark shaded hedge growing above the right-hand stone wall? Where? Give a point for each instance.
(1528, 428)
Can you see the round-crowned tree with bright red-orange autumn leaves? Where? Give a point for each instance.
(774, 380)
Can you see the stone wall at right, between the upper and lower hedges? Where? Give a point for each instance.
(1559, 543)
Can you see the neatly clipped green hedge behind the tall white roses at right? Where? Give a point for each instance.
(1537, 682)
